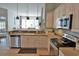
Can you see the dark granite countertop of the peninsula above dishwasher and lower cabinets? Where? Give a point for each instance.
(25, 32)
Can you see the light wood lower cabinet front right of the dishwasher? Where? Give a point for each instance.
(34, 42)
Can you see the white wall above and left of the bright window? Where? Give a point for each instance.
(12, 11)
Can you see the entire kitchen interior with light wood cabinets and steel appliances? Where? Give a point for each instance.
(39, 29)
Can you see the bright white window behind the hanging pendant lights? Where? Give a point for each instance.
(32, 23)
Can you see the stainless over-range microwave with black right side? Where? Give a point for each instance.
(65, 22)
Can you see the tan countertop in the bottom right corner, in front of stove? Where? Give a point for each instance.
(68, 51)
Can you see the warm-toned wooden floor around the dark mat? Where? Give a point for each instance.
(14, 52)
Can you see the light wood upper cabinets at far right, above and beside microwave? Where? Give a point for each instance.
(71, 8)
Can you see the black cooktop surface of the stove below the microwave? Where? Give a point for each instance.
(63, 43)
